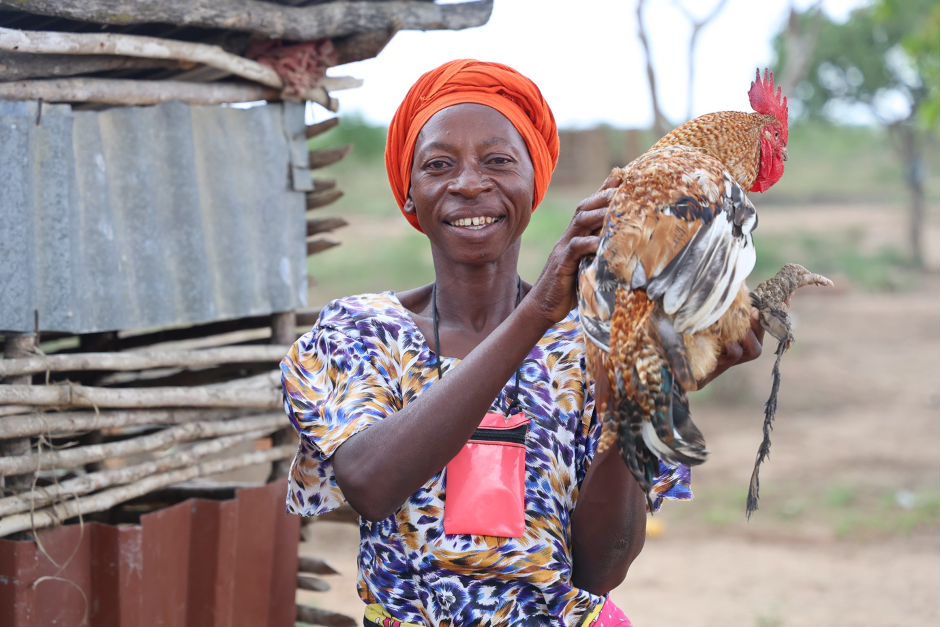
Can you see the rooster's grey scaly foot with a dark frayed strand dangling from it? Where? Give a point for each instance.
(772, 298)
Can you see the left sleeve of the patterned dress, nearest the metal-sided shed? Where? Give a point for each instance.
(332, 391)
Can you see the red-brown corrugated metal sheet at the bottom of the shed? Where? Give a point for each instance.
(197, 564)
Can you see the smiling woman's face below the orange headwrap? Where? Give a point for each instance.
(472, 183)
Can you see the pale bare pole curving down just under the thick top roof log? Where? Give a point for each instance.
(46, 42)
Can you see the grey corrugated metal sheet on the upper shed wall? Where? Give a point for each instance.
(139, 217)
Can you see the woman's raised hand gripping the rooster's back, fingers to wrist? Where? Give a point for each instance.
(554, 293)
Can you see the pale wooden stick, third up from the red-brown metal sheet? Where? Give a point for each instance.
(80, 455)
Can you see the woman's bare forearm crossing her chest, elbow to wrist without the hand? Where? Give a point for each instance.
(380, 467)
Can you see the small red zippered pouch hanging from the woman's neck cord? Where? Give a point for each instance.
(485, 482)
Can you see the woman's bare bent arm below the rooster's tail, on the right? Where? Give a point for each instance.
(608, 526)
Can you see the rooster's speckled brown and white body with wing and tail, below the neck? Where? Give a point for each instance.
(675, 249)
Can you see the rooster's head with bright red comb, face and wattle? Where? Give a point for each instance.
(769, 104)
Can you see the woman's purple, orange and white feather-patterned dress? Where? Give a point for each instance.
(364, 360)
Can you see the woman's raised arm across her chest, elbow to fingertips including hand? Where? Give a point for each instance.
(379, 468)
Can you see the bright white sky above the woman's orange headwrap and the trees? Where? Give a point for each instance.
(586, 58)
